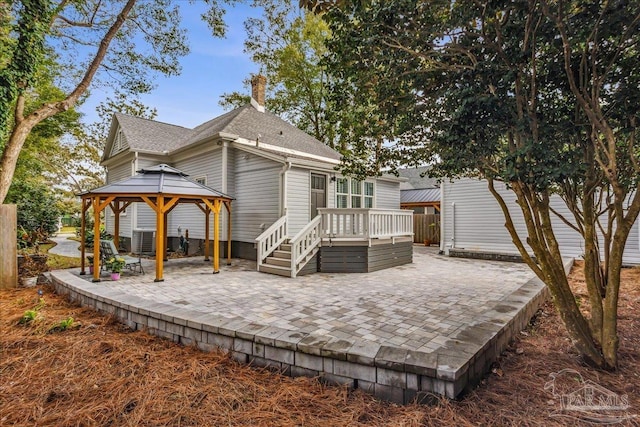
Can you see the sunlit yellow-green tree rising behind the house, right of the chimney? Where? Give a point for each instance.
(289, 46)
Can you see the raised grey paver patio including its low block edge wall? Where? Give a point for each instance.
(432, 326)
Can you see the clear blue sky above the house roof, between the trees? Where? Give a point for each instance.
(214, 66)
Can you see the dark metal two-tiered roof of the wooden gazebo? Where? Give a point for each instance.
(160, 179)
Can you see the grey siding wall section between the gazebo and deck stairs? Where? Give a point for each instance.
(257, 193)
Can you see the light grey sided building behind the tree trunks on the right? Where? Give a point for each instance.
(472, 220)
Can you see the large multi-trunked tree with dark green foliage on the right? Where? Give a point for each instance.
(542, 96)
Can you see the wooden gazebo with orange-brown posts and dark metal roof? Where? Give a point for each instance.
(162, 188)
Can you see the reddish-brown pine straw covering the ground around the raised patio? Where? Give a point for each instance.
(97, 372)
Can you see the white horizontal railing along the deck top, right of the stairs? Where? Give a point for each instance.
(366, 223)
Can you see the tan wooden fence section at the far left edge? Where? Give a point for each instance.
(8, 246)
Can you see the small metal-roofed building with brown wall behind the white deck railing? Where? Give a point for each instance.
(420, 193)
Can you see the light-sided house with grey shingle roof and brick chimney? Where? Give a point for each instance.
(276, 173)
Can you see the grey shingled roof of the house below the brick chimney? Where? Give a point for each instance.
(264, 130)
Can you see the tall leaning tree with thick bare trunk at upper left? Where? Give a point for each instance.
(121, 42)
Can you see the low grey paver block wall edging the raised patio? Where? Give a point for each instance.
(389, 373)
